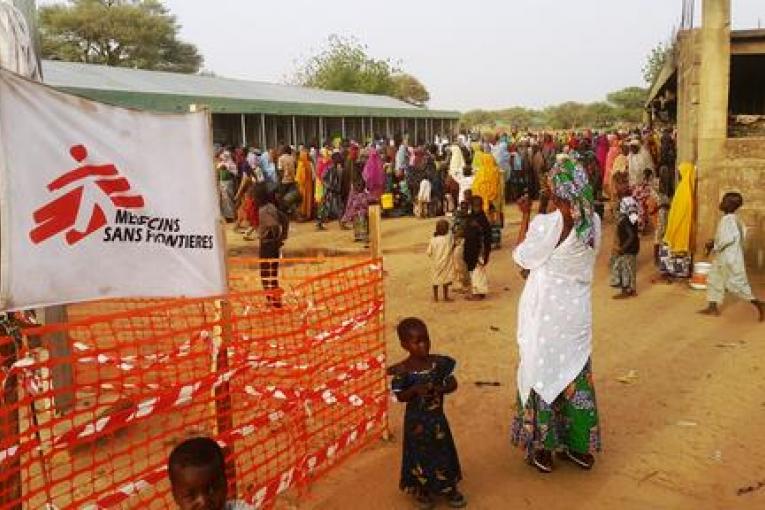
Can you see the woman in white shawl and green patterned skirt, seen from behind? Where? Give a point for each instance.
(556, 409)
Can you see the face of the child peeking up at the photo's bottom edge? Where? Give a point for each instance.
(198, 488)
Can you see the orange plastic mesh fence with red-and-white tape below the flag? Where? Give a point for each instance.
(290, 380)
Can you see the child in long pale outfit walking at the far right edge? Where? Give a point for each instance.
(728, 269)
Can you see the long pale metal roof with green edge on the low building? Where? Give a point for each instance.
(173, 92)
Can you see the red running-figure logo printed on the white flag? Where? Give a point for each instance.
(84, 192)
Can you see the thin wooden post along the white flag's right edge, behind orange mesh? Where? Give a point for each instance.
(224, 419)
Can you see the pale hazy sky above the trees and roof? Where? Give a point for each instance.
(469, 54)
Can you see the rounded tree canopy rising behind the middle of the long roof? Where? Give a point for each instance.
(345, 65)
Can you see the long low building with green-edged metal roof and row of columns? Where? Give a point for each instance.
(253, 113)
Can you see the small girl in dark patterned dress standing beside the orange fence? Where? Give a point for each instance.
(430, 466)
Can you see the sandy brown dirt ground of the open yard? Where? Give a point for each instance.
(685, 431)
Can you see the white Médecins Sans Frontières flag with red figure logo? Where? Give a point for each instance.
(103, 202)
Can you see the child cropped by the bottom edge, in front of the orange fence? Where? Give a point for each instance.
(197, 473)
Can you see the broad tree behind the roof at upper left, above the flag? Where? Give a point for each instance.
(124, 33)
